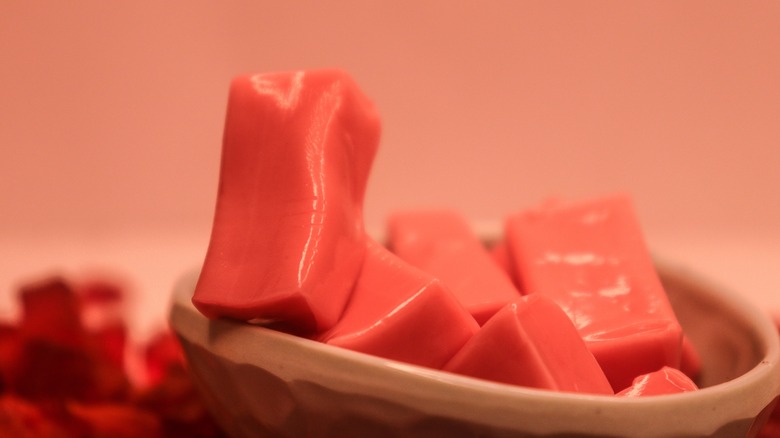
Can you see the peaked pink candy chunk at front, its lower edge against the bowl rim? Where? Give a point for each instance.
(531, 342)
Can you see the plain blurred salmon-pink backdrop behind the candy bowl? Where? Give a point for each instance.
(112, 117)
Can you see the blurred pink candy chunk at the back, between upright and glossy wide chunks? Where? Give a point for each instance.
(442, 243)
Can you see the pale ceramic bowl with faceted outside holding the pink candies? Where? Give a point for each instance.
(260, 382)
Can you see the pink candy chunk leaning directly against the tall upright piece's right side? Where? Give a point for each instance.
(400, 312)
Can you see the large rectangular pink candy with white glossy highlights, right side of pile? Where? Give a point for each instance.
(591, 258)
